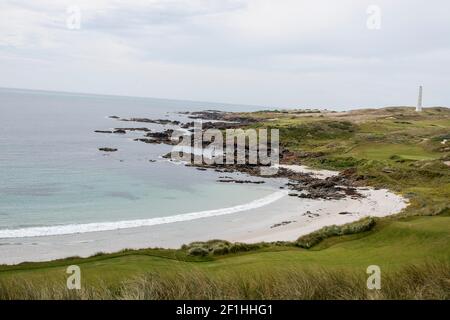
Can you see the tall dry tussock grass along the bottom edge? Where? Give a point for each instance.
(427, 281)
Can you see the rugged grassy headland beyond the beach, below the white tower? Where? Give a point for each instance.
(406, 143)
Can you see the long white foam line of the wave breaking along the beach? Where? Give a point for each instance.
(108, 226)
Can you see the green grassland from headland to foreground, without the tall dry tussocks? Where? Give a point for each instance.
(406, 143)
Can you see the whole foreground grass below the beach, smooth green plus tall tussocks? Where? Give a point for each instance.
(412, 253)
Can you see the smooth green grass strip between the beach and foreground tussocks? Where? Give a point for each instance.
(391, 245)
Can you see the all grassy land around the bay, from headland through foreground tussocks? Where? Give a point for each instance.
(395, 148)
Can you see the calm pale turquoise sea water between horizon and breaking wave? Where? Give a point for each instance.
(52, 173)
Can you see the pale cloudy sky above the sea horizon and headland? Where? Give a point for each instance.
(276, 53)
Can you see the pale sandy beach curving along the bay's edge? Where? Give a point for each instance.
(252, 225)
